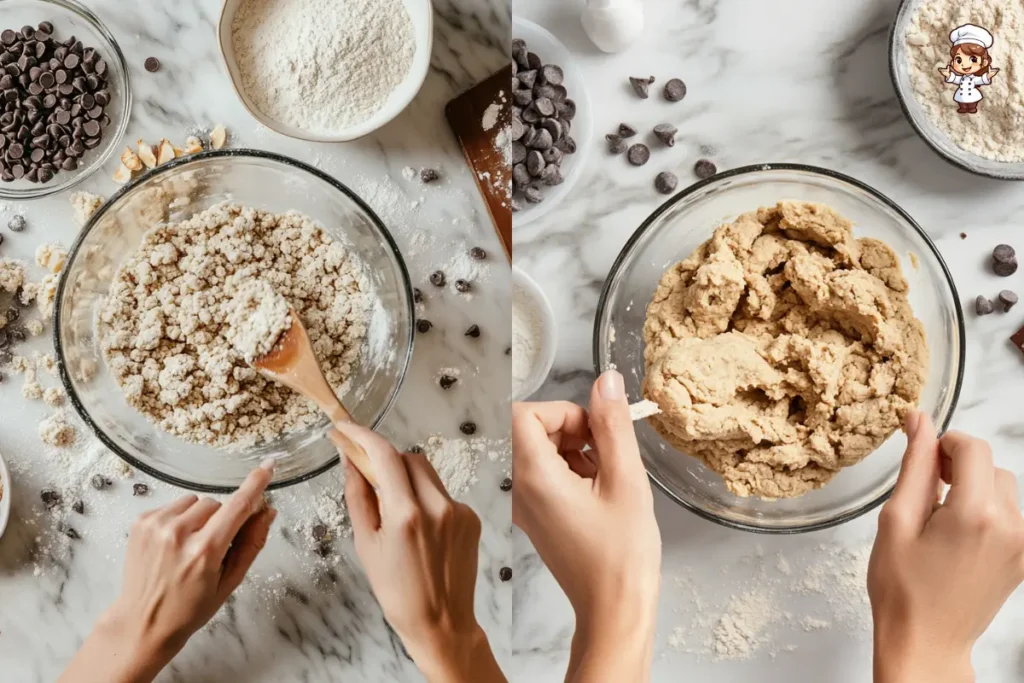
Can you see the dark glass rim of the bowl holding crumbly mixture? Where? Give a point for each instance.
(166, 168)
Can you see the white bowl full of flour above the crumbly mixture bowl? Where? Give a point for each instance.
(326, 71)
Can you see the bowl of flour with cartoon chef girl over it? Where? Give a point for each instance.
(963, 99)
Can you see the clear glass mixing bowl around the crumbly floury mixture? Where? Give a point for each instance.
(176, 192)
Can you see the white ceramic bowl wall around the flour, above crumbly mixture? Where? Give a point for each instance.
(422, 15)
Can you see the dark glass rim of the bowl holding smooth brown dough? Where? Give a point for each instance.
(760, 168)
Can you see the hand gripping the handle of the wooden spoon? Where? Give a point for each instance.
(420, 551)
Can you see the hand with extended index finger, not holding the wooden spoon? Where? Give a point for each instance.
(184, 562)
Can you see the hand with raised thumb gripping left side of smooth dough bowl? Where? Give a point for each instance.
(590, 517)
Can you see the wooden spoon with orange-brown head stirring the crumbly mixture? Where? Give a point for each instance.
(293, 363)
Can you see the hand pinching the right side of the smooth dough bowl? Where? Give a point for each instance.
(941, 572)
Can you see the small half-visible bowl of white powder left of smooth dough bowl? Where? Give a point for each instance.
(535, 338)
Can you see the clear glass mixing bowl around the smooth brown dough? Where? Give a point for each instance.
(677, 229)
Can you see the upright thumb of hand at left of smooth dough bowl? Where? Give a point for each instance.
(612, 429)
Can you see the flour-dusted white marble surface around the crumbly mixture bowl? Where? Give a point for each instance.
(298, 618)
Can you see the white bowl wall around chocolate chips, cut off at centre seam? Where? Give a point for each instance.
(552, 52)
